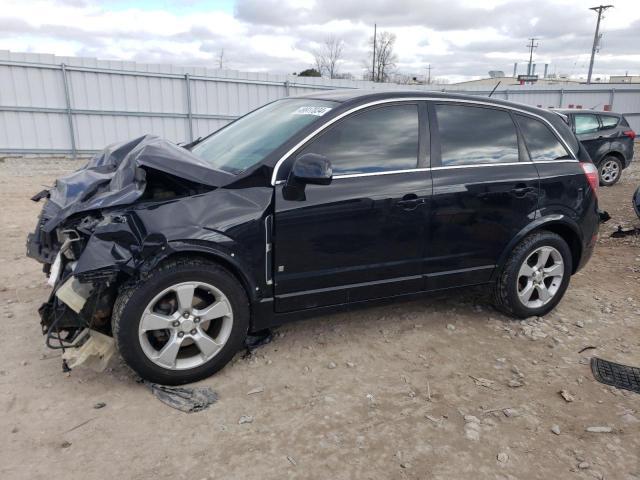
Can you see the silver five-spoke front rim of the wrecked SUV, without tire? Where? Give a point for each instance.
(185, 325)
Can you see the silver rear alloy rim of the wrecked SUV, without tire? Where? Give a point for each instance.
(540, 277)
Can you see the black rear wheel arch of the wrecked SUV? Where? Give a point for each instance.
(559, 224)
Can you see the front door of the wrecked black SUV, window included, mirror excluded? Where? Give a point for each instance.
(362, 236)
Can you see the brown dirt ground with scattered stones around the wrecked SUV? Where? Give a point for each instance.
(440, 388)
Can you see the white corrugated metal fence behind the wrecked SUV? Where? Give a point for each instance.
(73, 105)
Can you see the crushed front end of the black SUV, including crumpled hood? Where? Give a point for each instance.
(103, 225)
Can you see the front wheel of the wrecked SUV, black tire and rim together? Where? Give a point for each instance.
(141, 331)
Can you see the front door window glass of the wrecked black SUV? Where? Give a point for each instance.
(376, 140)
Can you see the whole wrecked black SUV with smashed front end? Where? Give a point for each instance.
(306, 205)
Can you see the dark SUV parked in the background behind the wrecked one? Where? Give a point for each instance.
(607, 137)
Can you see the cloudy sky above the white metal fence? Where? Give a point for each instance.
(460, 39)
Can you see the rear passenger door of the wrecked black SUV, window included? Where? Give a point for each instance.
(484, 192)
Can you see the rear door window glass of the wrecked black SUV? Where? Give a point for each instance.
(475, 135)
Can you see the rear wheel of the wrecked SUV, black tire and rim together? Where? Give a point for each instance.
(514, 282)
